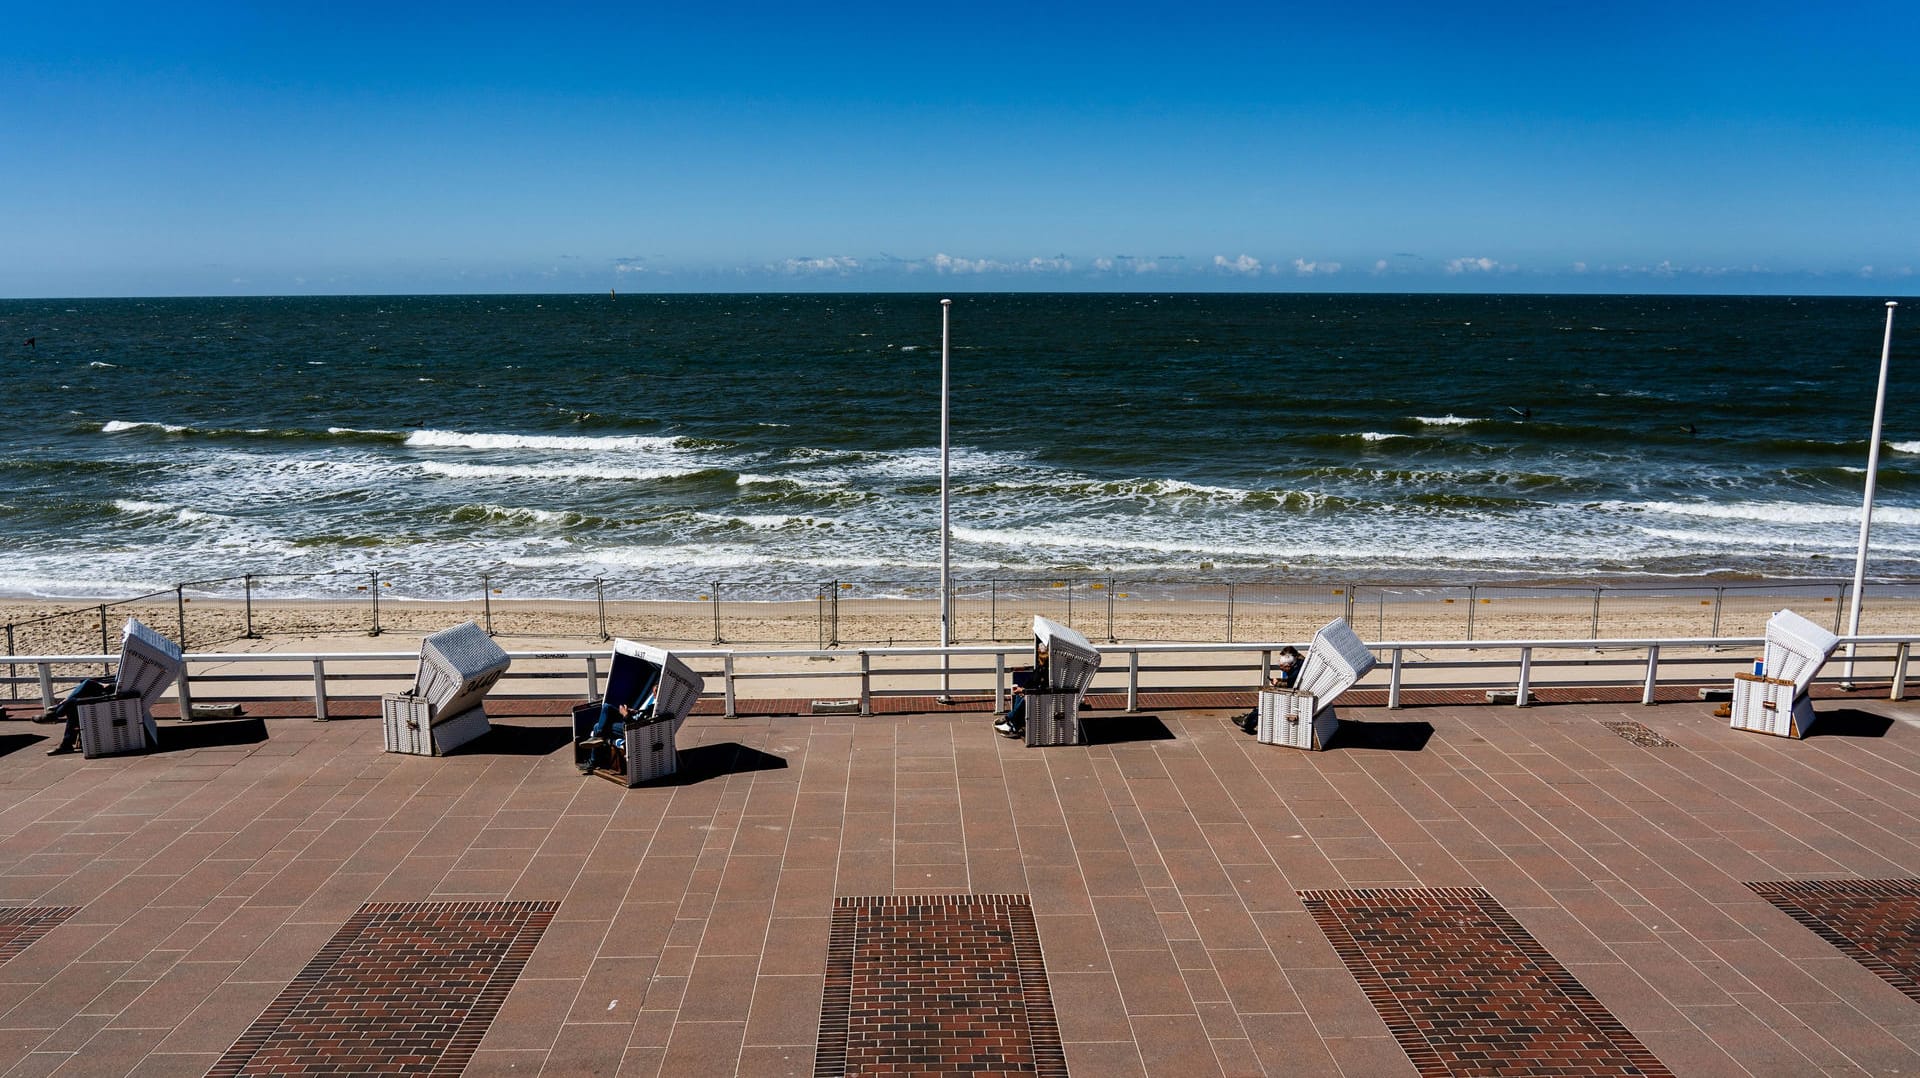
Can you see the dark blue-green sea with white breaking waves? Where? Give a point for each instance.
(796, 439)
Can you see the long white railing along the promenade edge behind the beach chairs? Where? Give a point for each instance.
(1138, 664)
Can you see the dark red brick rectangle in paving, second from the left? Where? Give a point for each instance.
(402, 989)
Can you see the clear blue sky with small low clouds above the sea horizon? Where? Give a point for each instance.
(266, 149)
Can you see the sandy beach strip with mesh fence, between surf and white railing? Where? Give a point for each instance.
(204, 616)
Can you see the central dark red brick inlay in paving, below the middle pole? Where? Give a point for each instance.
(936, 985)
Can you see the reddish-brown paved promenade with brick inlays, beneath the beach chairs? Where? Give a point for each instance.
(1451, 891)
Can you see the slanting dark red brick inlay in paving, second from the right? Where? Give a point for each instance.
(1466, 991)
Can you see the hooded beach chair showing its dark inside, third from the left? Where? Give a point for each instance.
(644, 748)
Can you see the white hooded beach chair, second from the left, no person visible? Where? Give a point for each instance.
(446, 706)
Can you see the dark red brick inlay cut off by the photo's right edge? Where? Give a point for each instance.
(1875, 923)
